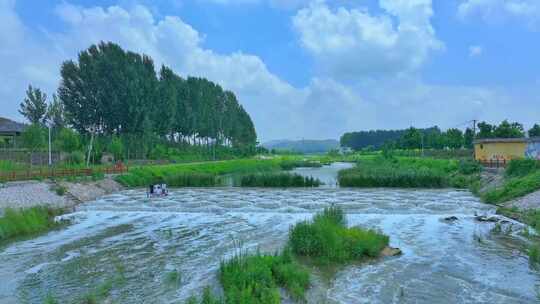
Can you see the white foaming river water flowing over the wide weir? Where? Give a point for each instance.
(192, 230)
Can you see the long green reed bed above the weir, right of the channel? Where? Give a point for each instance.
(409, 173)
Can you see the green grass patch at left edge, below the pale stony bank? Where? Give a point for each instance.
(24, 222)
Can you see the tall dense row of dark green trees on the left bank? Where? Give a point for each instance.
(112, 93)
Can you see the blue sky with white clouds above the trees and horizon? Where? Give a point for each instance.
(303, 68)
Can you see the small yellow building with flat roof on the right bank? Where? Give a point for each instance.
(500, 149)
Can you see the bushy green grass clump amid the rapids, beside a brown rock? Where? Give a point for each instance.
(327, 240)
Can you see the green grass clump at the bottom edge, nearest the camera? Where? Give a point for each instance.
(255, 278)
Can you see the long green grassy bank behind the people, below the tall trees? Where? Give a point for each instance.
(195, 174)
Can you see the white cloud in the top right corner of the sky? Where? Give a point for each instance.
(492, 11)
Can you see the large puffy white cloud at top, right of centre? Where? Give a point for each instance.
(351, 43)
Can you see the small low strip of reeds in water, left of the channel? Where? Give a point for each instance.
(278, 180)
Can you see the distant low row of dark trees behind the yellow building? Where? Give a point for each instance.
(434, 138)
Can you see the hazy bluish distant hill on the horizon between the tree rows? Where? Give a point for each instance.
(303, 146)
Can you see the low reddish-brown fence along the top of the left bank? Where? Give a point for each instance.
(54, 173)
